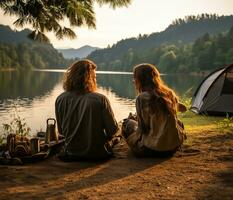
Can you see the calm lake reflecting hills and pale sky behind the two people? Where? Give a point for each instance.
(32, 94)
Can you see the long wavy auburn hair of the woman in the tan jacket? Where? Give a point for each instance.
(147, 78)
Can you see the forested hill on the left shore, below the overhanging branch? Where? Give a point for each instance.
(19, 52)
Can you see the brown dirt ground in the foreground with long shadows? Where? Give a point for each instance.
(204, 170)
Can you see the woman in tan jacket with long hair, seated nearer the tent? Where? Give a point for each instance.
(155, 130)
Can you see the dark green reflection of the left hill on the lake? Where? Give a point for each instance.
(27, 84)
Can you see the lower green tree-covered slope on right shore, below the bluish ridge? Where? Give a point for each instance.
(204, 54)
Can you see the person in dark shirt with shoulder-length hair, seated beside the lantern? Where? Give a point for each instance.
(84, 117)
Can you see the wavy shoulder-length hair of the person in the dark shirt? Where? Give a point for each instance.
(80, 77)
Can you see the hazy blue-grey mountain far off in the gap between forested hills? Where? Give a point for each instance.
(77, 53)
